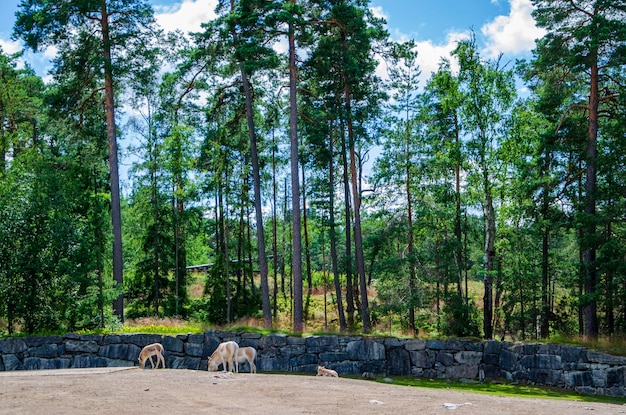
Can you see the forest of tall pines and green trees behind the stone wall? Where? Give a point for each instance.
(267, 161)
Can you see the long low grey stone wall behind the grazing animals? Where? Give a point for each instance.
(563, 366)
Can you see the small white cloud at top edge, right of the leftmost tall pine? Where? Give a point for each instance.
(186, 16)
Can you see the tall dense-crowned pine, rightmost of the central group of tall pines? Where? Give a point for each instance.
(348, 33)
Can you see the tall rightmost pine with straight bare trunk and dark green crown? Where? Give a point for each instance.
(585, 40)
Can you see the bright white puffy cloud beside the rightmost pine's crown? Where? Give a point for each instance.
(513, 34)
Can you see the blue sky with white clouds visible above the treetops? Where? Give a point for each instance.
(500, 26)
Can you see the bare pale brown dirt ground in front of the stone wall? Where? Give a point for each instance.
(132, 391)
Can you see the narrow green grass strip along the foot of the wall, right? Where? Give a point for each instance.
(504, 389)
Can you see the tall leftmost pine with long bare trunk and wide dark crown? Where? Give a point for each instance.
(119, 24)
